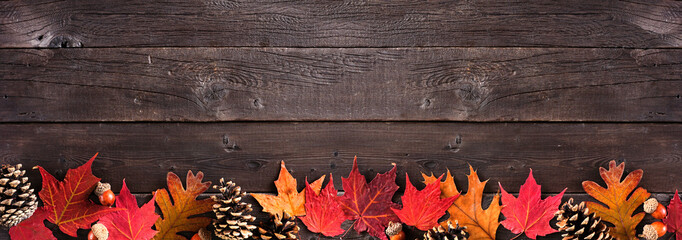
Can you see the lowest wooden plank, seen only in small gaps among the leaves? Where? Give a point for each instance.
(502, 233)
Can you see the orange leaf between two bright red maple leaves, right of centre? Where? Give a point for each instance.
(468, 210)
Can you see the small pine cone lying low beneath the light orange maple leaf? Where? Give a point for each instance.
(281, 228)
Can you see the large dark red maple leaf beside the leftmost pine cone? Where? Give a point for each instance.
(67, 201)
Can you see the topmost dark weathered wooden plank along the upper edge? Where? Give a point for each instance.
(349, 23)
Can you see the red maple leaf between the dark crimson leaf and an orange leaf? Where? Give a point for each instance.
(422, 209)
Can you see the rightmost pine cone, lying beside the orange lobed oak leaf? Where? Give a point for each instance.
(576, 222)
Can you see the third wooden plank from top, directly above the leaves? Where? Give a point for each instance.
(562, 155)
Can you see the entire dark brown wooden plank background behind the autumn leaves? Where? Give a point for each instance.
(232, 87)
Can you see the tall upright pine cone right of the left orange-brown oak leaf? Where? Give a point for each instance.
(233, 222)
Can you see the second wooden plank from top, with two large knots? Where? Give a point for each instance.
(462, 84)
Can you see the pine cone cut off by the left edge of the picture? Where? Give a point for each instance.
(17, 201)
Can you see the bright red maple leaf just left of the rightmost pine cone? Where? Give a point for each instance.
(529, 213)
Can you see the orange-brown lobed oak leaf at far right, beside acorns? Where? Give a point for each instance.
(619, 208)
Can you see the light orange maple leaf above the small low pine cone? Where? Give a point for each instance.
(288, 199)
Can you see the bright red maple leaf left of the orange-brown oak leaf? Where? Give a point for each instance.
(133, 223)
